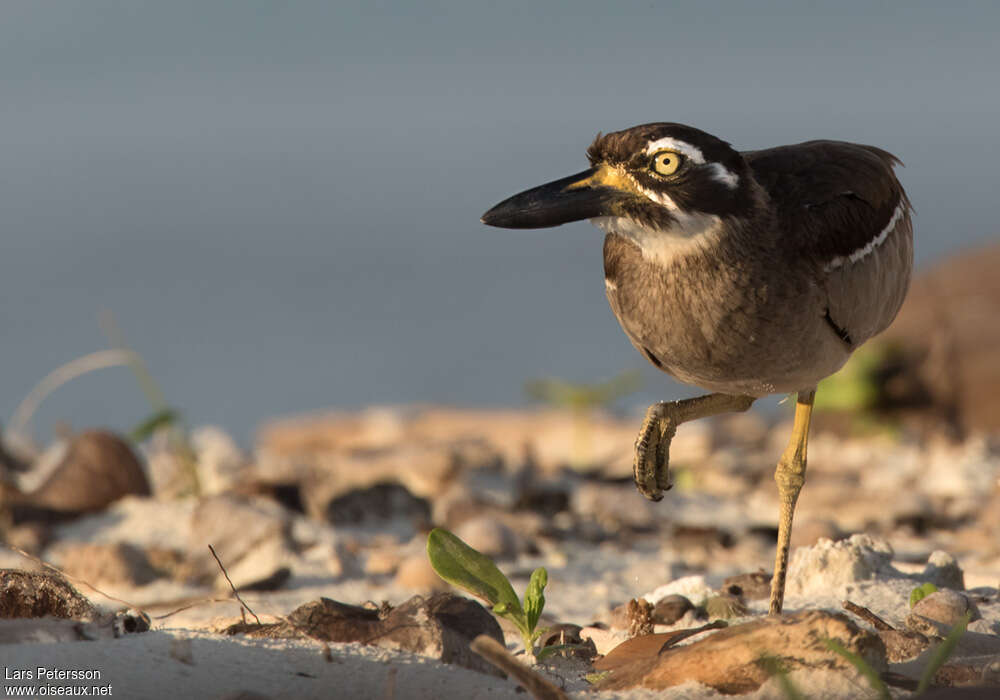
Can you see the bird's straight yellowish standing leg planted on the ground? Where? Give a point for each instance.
(790, 475)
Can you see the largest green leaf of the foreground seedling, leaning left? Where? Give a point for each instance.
(464, 567)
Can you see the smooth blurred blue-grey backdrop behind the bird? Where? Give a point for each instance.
(279, 202)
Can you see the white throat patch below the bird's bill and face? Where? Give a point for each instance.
(691, 233)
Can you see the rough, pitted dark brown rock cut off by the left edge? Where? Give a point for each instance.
(41, 594)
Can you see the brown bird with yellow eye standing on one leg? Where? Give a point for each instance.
(744, 273)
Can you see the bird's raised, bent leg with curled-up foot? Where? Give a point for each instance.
(652, 447)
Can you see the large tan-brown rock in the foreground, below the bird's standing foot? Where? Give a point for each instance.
(730, 660)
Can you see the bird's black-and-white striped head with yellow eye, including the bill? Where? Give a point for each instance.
(661, 177)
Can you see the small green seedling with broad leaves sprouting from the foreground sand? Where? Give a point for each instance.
(462, 566)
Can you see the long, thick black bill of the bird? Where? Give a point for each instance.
(553, 204)
